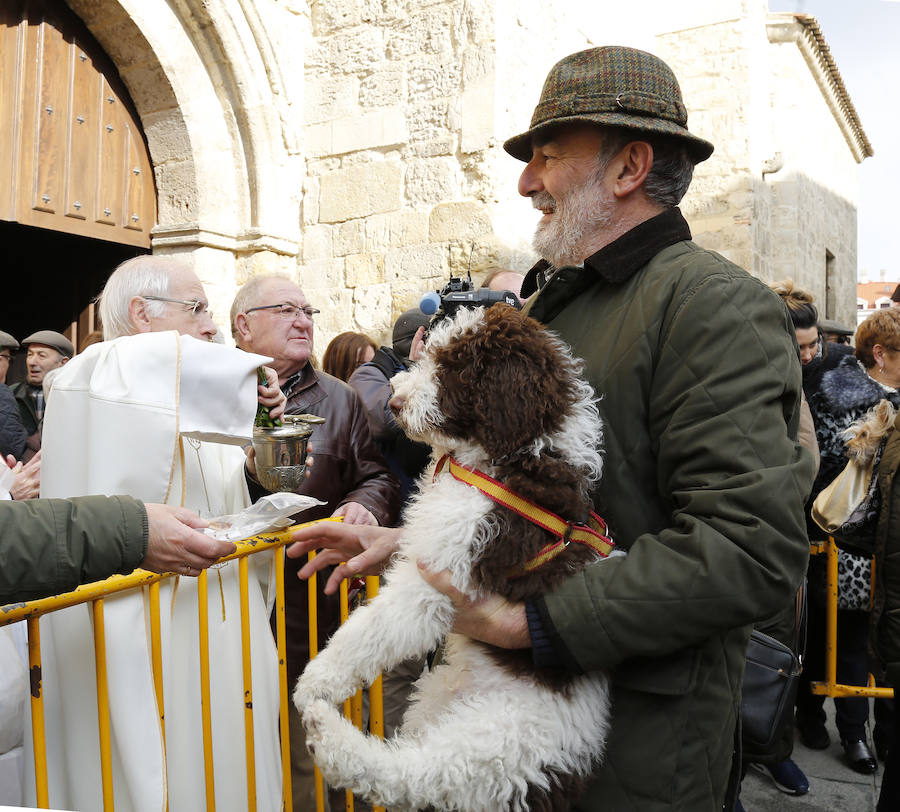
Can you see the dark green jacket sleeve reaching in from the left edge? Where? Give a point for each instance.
(50, 546)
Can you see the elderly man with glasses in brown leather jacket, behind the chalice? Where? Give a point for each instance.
(271, 316)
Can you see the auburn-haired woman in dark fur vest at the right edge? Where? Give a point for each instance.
(845, 392)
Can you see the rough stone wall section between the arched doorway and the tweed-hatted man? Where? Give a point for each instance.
(395, 135)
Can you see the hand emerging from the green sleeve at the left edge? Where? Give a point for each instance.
(175, 543)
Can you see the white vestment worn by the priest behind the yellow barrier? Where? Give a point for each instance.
(127, 416)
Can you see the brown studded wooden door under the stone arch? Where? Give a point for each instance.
(72, 154)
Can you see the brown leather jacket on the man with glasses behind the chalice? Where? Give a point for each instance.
(348, 468)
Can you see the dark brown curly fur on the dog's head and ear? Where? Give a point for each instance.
(505, 383)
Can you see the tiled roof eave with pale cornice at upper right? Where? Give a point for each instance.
(803, 29)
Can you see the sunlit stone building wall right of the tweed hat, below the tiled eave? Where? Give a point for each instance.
(778, 196)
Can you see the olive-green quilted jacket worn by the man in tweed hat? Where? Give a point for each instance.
(698, 373)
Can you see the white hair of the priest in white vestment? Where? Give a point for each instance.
(140, 276)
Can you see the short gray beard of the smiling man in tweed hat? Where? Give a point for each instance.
(584, 210)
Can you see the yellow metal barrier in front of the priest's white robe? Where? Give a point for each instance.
(95, 593)
